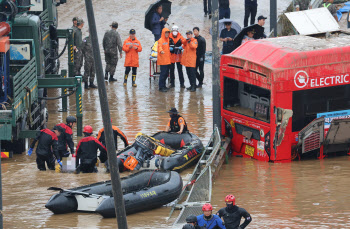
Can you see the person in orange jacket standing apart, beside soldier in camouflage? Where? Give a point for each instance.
(131, 47)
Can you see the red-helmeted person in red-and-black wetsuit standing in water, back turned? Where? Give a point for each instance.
(86, 156)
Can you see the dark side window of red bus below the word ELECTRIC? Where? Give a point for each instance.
(308, 103)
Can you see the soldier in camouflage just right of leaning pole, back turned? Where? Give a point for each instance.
(111, 45)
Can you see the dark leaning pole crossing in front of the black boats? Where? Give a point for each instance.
(112, 156)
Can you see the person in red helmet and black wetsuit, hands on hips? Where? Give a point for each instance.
(233, 214)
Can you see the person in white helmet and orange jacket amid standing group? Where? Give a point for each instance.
(176, 53)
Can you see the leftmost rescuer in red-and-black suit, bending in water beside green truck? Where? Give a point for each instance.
(47, 147)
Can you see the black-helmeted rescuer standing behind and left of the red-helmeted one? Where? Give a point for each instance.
(65, 140)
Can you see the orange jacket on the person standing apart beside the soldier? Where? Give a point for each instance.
(132, 55)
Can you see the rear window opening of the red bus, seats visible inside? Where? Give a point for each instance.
(246, 99)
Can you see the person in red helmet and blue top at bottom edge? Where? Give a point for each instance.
(208, 220)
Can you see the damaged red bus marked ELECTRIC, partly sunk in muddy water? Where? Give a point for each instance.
(274, 88)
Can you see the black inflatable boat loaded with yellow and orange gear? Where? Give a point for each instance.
(164, 150)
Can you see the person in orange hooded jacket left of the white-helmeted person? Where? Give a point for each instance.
(164, 58)
